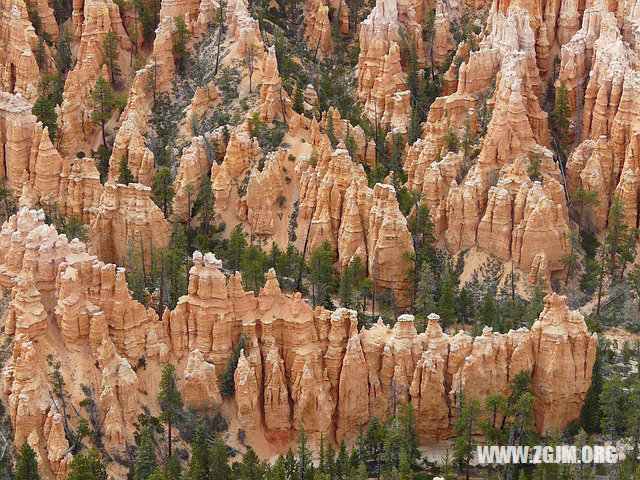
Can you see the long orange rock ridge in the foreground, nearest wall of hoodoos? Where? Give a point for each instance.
(298, 364)
